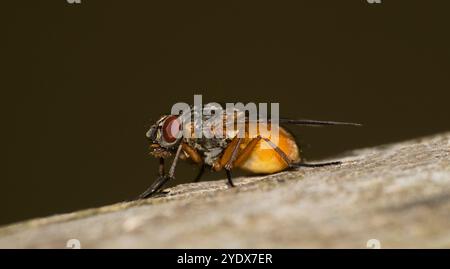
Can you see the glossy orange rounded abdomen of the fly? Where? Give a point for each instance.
(263, 159)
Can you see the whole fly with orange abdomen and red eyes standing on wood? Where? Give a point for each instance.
(228, 152)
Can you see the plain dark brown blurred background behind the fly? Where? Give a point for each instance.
(82, 82)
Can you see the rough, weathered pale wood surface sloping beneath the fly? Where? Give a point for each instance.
(398, 194)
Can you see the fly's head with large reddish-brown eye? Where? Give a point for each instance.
(165, 135)
